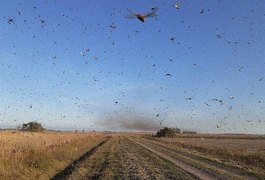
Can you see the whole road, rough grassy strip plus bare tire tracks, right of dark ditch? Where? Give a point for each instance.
(130, 157)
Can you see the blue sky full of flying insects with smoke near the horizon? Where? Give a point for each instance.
(82, 65)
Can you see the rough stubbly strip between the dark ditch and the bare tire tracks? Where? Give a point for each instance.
(121, 158)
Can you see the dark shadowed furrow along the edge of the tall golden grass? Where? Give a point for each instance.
(72, 167)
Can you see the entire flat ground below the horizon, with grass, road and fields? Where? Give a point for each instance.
(70, 155)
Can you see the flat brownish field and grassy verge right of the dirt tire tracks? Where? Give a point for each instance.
(244, 151)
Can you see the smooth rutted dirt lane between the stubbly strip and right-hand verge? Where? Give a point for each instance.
(199, 166)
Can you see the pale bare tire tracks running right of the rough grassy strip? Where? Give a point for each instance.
(202, 169)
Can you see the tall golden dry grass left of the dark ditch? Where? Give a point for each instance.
(25, 155)
